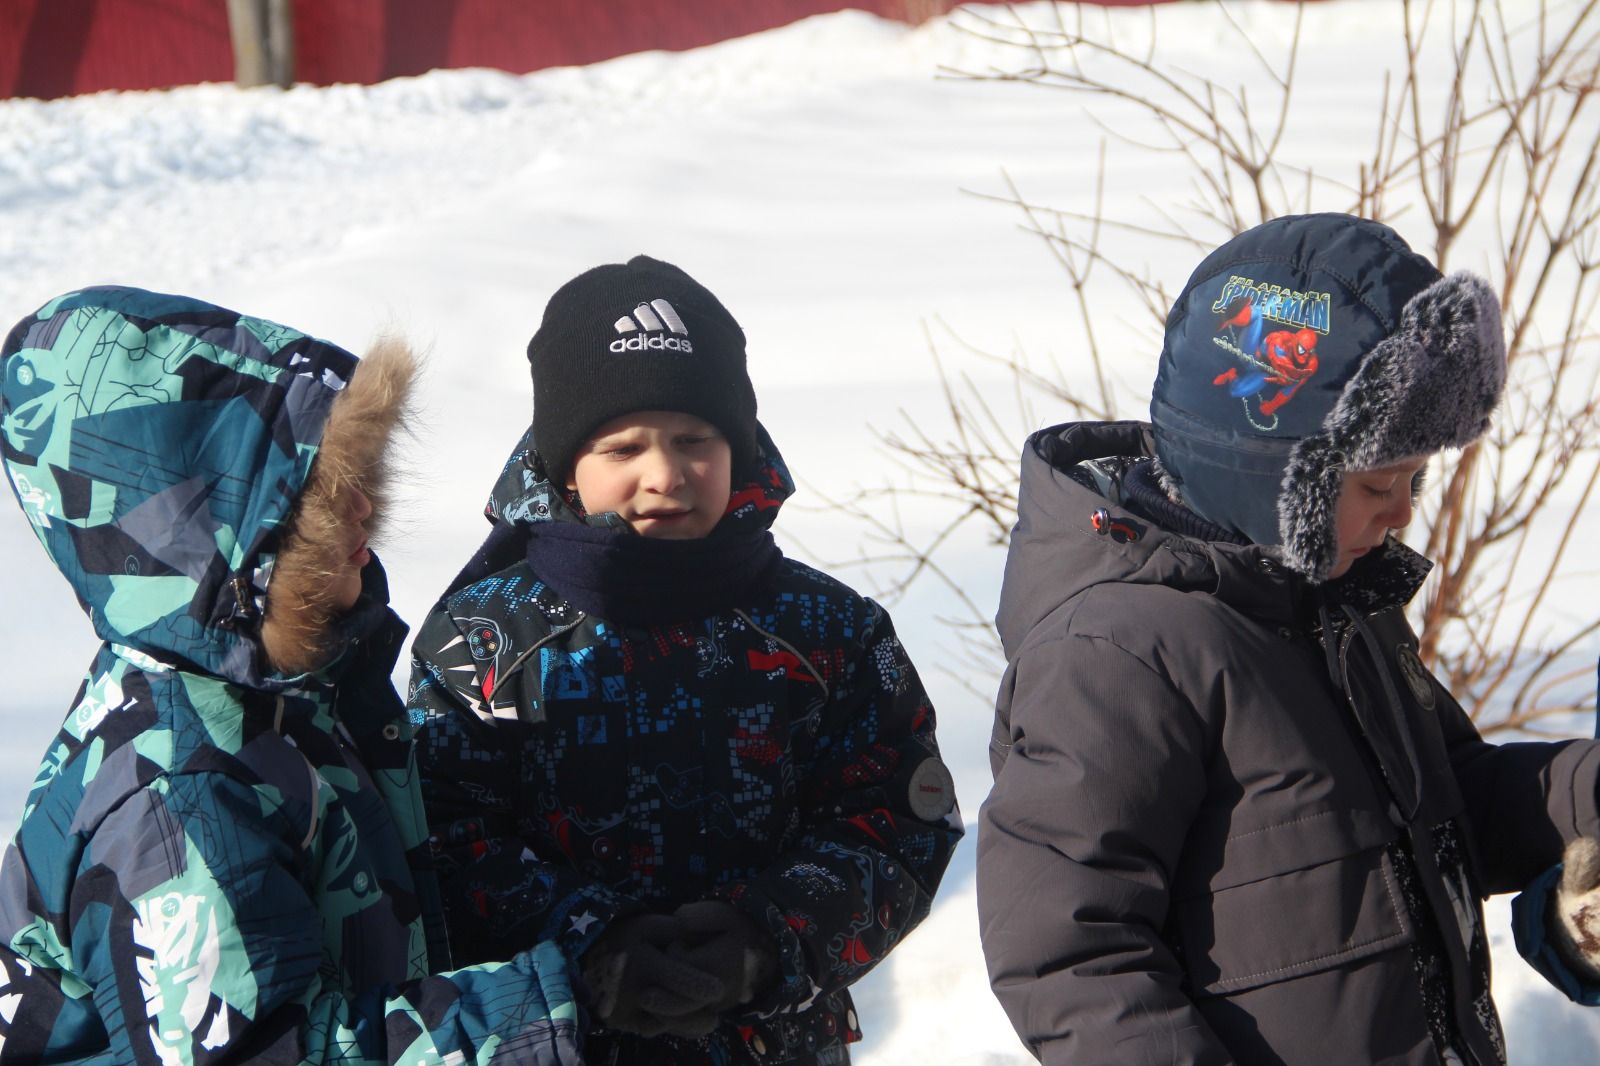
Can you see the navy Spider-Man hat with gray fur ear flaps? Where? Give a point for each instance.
(1310, 347)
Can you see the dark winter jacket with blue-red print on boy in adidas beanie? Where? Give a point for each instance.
(780, 756)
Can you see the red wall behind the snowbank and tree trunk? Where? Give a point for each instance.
(65, 47)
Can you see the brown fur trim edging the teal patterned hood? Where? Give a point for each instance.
(354, 452)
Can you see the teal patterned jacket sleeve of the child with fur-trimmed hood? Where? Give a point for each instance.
(196, 929)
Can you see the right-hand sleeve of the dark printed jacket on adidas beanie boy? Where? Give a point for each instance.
(879, 827)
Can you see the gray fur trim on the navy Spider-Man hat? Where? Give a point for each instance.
(1431, 385)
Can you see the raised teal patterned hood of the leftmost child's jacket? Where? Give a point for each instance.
(159, 446)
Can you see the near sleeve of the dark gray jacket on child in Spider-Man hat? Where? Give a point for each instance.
(1076, 852)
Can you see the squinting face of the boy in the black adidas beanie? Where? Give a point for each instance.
(666, 473)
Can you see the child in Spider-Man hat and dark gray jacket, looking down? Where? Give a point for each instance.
(1236, 819)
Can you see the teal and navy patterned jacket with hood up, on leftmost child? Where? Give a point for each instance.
(218, 862)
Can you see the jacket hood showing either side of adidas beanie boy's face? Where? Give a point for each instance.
(524, 494)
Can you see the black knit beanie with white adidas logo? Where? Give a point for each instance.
(636, 337)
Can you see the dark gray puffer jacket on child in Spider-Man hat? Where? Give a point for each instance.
(1234, 819)
